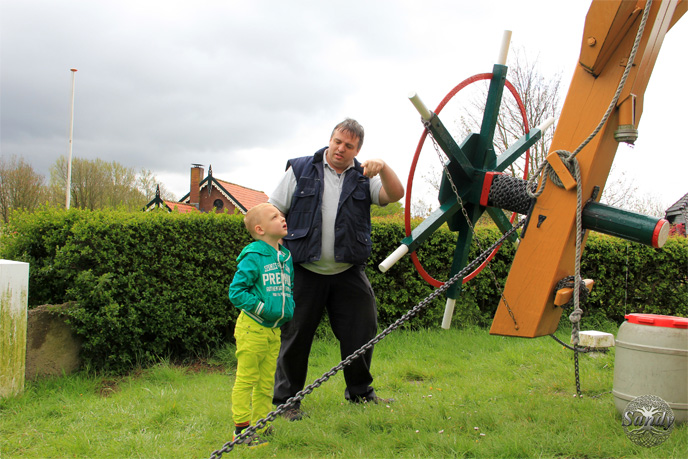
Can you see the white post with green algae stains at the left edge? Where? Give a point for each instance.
(14, 299)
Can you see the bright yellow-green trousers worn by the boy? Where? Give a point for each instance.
(257, 348)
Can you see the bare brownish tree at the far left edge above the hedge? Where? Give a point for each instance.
(20, 186)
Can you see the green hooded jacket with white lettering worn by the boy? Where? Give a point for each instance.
(263, 283)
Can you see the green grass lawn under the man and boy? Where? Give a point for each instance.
(458, 393)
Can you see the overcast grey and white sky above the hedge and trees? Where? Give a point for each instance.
(245, 85)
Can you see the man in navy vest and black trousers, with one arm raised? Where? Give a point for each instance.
(326, 199)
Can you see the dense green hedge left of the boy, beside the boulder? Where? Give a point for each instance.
(142, 285)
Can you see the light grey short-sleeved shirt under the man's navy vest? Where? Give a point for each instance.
(281, 198)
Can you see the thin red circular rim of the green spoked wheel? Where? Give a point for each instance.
(409, 185)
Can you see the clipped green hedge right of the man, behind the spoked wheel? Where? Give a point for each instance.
(629, 278)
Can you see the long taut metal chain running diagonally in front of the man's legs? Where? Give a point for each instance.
(249, 431)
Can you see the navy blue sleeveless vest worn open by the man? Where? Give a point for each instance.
(304, 220)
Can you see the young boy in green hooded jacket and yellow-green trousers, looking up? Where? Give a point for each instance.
(262, 289)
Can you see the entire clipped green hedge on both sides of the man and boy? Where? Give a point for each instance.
(146, 285)
